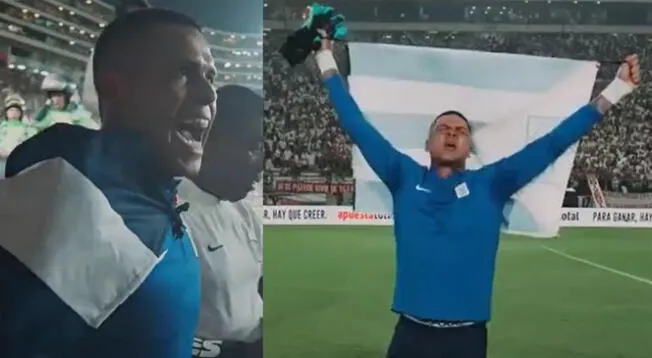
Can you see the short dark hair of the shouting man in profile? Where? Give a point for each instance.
(111, 42)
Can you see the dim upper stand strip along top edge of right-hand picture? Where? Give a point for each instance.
(480, 12)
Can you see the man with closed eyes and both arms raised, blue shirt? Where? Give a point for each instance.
(445, 263)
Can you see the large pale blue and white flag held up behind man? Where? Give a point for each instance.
(509, 99)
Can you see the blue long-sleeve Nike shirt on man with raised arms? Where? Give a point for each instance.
(446, 246)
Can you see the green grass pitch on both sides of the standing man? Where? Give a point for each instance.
(328, 290)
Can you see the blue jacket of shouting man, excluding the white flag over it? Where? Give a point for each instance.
(160, 318)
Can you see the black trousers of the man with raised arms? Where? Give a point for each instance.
(414, 340)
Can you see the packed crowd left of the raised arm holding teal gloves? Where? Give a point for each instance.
(300, 132)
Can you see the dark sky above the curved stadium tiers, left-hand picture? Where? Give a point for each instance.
(229, 15)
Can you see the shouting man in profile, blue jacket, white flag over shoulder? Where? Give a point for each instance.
(96, 261)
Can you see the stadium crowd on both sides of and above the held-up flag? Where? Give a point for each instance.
(302, 135)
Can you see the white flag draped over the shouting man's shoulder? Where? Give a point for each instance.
(62, 228)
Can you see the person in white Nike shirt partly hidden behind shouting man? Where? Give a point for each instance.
(217, 216)
